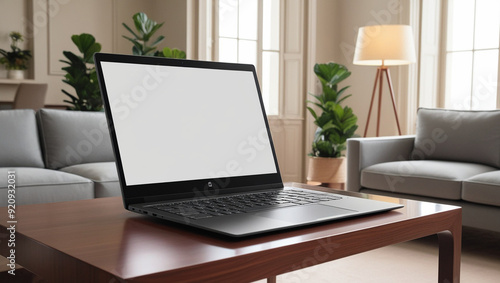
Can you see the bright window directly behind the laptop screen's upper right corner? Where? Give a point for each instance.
(248, 31)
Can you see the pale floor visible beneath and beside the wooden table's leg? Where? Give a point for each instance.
(410, 262)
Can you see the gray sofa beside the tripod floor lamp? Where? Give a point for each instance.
(454, 158)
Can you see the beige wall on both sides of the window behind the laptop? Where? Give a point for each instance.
(336, 23)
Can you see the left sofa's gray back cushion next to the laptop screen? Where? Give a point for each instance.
(74, 137)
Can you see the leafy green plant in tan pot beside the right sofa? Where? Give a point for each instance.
(335, 125)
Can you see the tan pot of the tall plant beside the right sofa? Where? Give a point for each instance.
(327, 170)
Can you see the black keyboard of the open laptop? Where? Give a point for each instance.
(206, 208)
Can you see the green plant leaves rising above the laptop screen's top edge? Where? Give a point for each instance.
(145, 28)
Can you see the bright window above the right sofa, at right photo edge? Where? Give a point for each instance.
(472, 48)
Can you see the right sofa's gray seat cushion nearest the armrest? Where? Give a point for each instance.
(432, 178)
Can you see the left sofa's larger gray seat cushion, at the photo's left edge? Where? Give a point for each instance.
(38, 185)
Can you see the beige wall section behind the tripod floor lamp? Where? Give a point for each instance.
(333, 30)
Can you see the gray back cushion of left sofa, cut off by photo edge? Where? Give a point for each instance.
(20, 146)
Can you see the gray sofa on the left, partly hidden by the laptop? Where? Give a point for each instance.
(56, 155)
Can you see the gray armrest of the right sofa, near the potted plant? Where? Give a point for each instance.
(363, 152)
